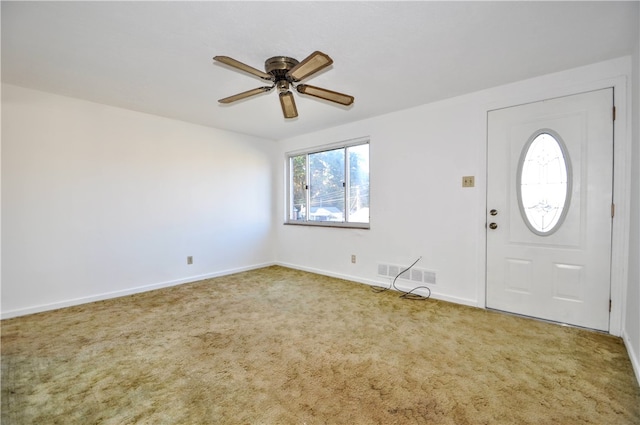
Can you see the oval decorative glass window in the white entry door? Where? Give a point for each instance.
(544, 182)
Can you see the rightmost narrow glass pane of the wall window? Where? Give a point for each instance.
(358, 183)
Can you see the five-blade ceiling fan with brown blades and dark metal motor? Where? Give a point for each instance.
(285, 72)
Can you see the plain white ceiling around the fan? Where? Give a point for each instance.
(156, 57)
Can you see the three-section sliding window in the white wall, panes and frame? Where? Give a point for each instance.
(330, 186)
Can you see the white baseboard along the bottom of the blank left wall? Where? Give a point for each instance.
(124, 292)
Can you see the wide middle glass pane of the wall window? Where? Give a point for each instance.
(326, 178)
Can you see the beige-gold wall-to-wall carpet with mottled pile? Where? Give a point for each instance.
(280, 346)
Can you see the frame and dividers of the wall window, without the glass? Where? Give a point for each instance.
(289, 189)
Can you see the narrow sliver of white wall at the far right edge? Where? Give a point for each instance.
(632, 320)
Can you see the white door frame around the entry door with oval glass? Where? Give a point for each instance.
(621, 180)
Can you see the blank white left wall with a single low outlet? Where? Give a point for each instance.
(100, 201)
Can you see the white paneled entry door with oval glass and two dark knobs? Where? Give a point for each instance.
(549, 209)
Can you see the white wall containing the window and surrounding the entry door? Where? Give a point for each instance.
(418, 207)
